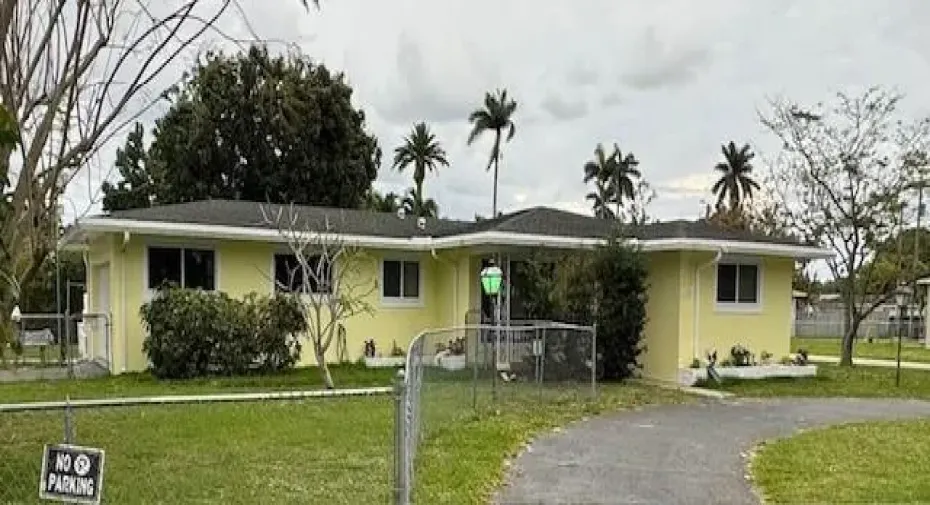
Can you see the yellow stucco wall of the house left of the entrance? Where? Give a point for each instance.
(244, 267)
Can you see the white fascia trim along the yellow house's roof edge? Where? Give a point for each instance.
(425, 244)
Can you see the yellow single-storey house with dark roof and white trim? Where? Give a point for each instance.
(709, 288)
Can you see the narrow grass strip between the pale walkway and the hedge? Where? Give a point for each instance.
(143, 384)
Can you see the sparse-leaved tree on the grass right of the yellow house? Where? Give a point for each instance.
(840, 181)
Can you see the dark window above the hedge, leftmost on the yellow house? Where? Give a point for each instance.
(187, 268)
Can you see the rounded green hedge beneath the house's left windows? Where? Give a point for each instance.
(194, 333)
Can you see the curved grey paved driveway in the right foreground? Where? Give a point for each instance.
(676, 454)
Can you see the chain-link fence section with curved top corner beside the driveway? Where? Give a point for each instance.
(452, 372)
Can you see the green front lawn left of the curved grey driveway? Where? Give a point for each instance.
(336, 450)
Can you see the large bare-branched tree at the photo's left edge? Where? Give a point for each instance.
(73, 73)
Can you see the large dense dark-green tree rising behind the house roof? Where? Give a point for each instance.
(260, 127)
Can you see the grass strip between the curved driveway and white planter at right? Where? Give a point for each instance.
(836, 381)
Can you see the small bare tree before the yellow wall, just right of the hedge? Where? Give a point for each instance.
(331, 277)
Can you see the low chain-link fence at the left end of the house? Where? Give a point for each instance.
(49, 346)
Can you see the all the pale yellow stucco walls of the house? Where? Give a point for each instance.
(450, 288)
